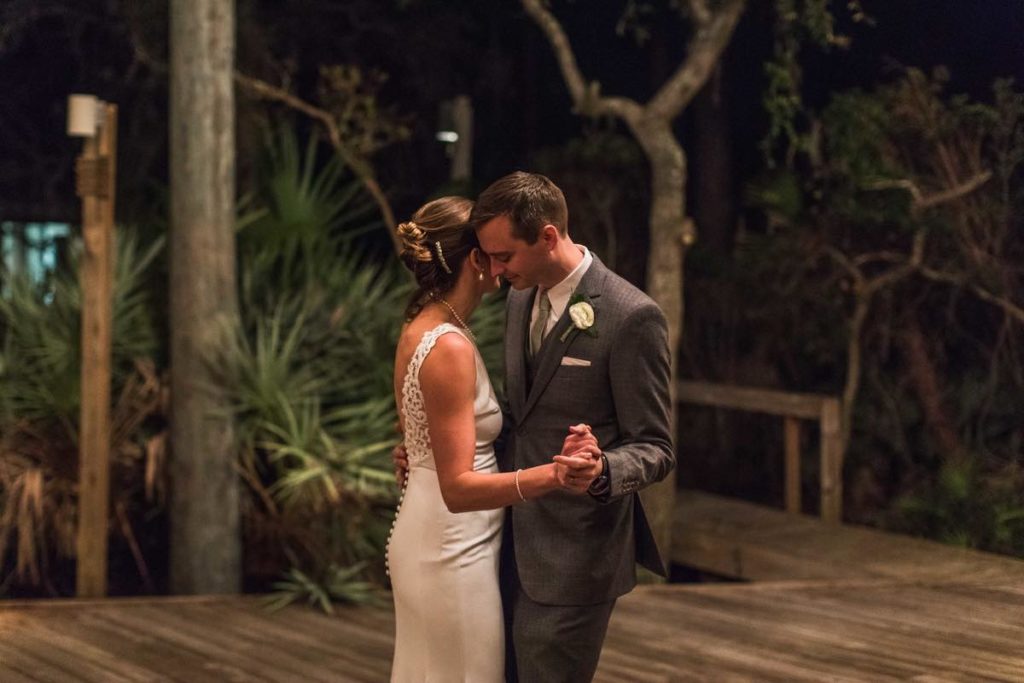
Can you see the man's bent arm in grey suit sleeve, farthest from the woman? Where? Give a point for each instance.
(641, 373)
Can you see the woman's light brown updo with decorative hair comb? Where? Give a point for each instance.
(436, 244)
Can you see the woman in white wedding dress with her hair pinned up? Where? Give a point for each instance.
(444, 550)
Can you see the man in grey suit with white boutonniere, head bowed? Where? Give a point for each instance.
(582, 348)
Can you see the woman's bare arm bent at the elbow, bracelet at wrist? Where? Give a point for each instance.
(448, 379)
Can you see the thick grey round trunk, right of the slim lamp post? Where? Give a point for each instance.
(206, 547)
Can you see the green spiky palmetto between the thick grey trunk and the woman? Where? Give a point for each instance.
(312, 374)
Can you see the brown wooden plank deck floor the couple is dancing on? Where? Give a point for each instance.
(874, 630)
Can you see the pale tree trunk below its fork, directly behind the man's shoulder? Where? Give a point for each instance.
(665, 279)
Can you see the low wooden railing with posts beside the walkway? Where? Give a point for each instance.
(793, 408)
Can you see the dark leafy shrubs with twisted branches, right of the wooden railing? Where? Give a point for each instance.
(904, 209)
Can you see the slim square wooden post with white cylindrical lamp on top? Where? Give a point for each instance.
(97, 122)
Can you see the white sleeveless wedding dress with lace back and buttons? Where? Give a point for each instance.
(444, 567)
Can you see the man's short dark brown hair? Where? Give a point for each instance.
(530, 200)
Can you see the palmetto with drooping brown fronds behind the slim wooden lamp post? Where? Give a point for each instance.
(39, 413)
